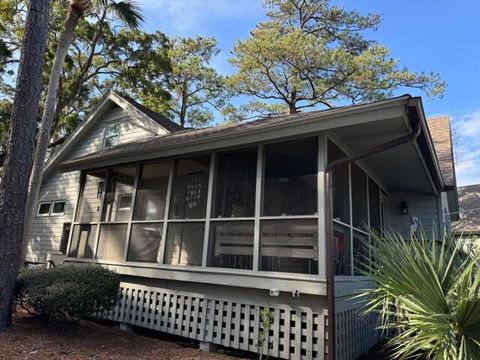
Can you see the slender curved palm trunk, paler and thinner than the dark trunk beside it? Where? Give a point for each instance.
(65, 39)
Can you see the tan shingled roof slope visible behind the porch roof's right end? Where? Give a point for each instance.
(440, 131)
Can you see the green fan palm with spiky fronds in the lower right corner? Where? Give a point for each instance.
(427, 291)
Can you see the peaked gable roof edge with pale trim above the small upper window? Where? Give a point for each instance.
(156, 122)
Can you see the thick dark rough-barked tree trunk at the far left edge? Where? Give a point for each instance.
(20, 146)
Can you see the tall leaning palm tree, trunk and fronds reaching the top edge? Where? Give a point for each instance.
(125, 11)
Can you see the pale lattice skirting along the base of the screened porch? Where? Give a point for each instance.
(296, 333)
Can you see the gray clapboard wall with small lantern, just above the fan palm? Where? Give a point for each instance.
(423, 206)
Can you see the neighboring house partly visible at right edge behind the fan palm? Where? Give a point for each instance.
(467, 228)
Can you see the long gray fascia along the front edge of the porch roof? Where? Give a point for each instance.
(296, 127)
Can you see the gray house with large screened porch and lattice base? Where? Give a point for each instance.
(213, 228)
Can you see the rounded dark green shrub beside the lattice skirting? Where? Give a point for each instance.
(68, 291)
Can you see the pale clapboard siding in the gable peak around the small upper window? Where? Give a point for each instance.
(130, 129)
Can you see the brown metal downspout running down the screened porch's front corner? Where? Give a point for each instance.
(413, 135)
